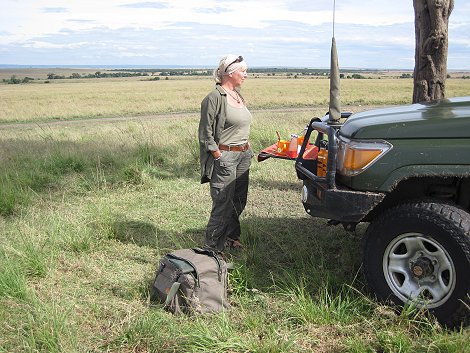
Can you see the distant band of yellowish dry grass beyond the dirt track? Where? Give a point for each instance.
(98, 98)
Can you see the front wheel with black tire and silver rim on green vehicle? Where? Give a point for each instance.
(419, 253)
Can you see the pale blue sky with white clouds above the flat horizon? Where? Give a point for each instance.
(297, 33)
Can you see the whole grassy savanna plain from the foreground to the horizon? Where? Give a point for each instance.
(99, 178)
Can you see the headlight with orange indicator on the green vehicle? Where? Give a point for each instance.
(356, 156)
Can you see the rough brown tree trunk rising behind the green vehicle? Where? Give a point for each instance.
(431, 29)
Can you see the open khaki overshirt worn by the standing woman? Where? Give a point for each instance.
(211, 125)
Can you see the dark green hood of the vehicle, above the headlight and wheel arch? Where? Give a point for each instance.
(447, 118)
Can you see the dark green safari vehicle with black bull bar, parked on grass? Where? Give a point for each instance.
(406, 171)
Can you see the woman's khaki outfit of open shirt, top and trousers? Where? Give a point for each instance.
(229, 175)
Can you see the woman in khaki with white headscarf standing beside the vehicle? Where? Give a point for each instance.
(225, 153)
